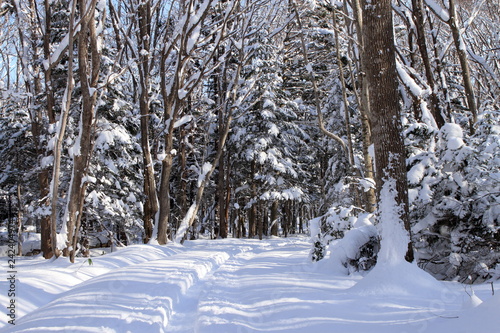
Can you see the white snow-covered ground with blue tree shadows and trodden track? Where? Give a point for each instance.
(236, 285)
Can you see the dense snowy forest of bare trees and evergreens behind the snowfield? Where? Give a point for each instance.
(158, 121)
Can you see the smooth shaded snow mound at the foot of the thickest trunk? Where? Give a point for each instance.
(403, 279)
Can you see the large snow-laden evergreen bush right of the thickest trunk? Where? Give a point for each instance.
(456, 210)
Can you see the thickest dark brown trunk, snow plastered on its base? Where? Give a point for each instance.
(380, 63)
